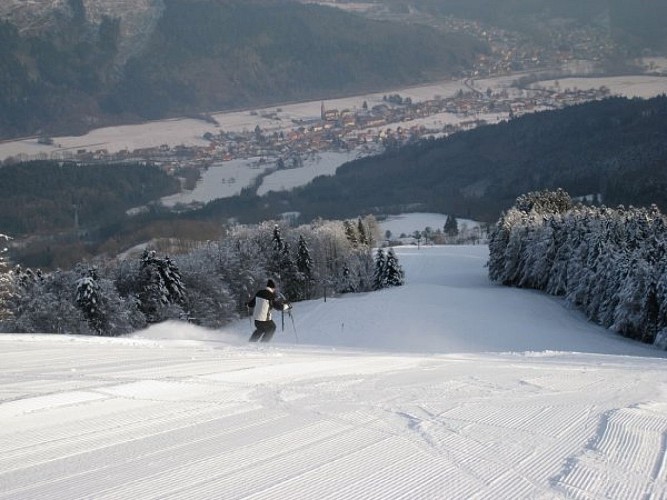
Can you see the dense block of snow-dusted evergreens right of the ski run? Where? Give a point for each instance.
(610, 263)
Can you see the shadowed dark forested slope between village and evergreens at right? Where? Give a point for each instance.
(616, 148)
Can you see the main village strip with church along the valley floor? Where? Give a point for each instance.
(395, 122)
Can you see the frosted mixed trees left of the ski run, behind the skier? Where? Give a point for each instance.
(208, 286)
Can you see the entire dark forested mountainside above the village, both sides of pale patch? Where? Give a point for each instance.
(208, 55)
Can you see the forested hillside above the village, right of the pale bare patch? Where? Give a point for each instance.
(244, 53)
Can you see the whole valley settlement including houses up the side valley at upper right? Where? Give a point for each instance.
(278, 140)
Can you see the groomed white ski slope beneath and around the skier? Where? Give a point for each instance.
(449, 387)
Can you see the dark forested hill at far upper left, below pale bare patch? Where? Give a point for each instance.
(52, 83)
